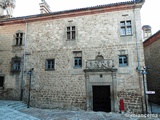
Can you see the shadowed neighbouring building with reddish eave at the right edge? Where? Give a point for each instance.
(152, 60)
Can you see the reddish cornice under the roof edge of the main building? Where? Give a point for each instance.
(72, 13)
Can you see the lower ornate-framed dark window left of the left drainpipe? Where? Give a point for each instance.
(15, 65)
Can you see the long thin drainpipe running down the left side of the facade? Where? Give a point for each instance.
(24, 60)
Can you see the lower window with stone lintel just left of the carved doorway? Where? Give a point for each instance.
(77, 59)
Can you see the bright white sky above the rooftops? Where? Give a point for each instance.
(149, 12)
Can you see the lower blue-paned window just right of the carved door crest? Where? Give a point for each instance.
(123, 61)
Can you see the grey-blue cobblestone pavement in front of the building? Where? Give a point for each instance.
(16, 110)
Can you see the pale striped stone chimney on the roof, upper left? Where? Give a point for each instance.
(44, 7)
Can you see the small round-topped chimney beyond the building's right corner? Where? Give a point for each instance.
(147, 31)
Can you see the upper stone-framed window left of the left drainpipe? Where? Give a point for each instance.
(18, 38)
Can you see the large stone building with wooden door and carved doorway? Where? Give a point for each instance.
(85, 58)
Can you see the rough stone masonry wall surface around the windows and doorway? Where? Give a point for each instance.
(65, 86)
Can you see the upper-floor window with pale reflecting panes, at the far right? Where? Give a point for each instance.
(126, 28)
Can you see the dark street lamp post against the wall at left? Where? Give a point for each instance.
(29, 87)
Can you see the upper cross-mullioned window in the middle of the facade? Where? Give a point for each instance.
(71, 33)
